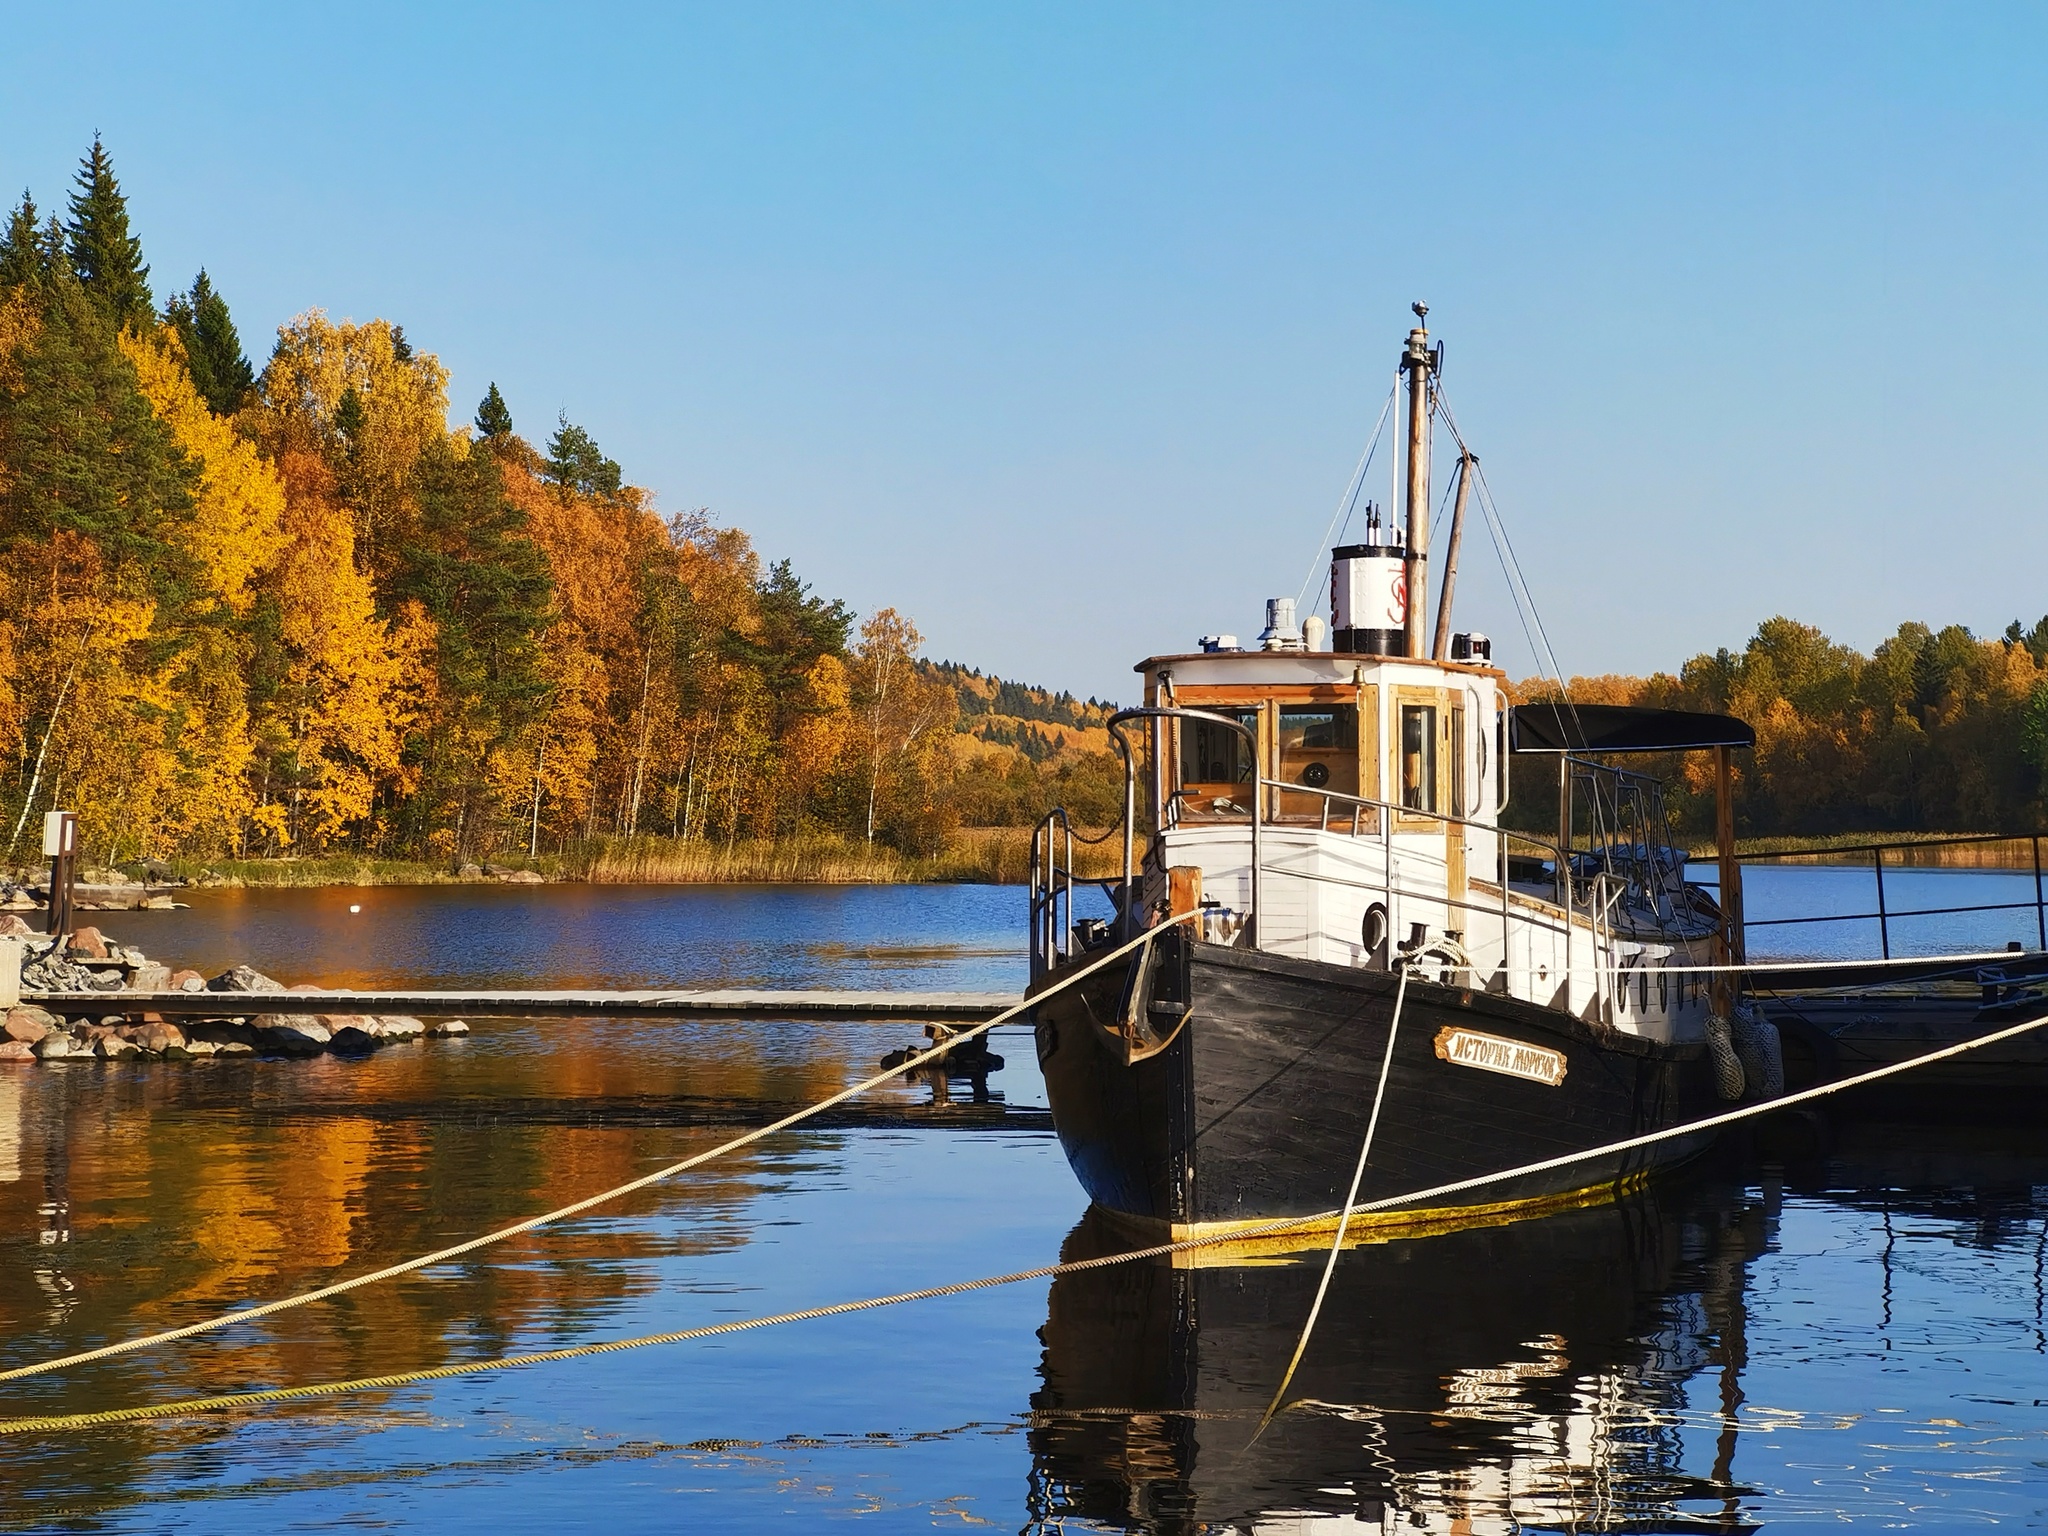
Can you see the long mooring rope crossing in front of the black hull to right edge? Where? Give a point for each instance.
(189, 1406)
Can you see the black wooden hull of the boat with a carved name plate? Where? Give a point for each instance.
(1256, 1107)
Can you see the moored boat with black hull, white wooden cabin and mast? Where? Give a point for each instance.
(1316, 820)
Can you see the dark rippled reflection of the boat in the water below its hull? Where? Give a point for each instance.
(1494, 1379)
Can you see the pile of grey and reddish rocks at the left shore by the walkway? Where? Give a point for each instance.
(91, 964)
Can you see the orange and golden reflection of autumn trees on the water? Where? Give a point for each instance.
(146, 1197)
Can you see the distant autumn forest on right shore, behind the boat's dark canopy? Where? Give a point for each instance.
(1932, 732)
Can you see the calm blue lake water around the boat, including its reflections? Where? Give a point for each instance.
(1842, 1330)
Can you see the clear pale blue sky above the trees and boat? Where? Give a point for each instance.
(1062, 327)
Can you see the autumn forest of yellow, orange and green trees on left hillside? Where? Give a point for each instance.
(288, 609)
